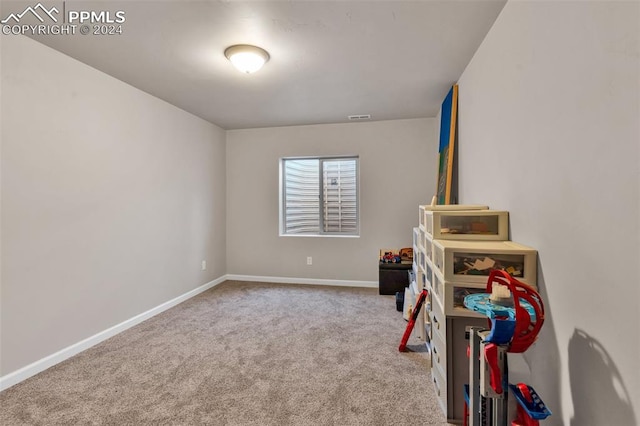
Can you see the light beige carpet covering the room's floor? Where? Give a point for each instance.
(243, 354)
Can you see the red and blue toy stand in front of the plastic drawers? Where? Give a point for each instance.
(516, 313)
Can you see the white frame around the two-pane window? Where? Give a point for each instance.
(282, 200)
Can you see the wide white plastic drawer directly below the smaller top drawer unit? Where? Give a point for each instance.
(472, 261)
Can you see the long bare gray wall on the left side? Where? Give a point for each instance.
(111, 199)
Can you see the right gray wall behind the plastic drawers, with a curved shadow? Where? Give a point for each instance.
(549, 110)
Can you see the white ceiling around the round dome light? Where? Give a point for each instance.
(329, 59)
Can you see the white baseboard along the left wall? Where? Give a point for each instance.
(24, 373)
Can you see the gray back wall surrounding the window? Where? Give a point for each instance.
(398, 166)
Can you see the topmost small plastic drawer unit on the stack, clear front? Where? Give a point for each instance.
(492, 225)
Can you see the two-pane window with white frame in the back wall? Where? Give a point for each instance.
(319, 196)
